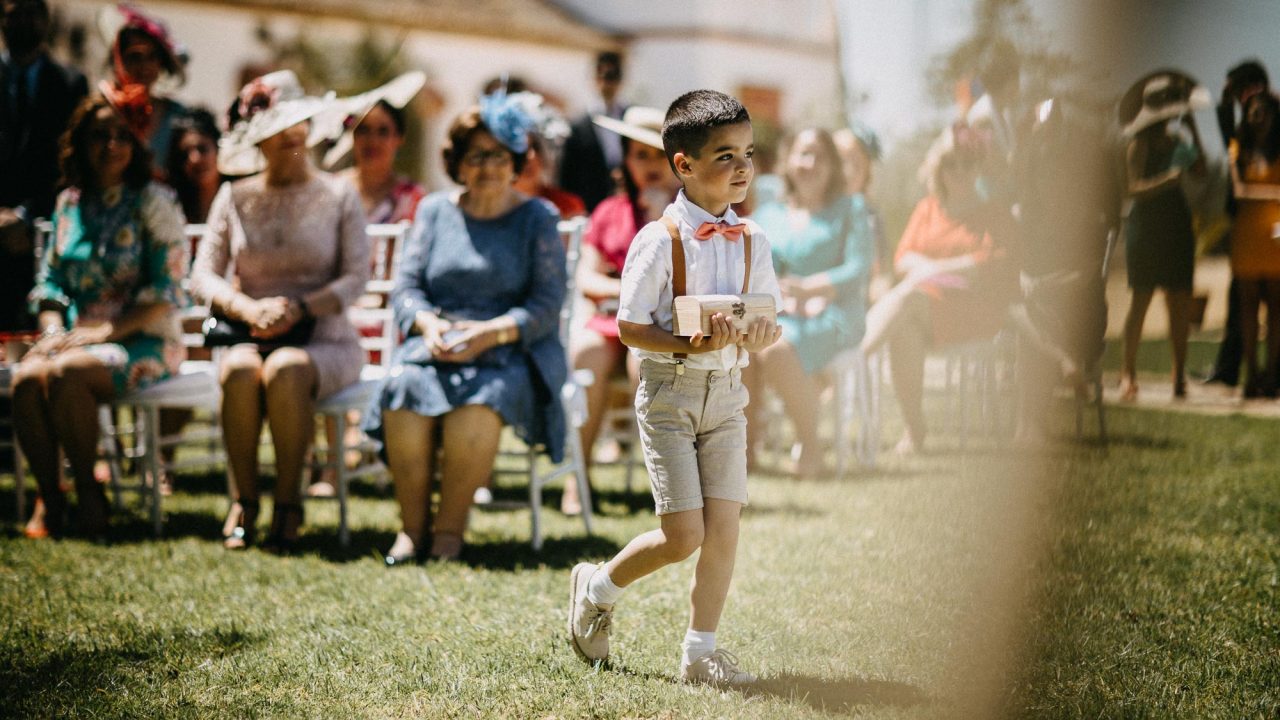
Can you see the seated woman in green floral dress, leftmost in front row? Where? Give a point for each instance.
(112, 276)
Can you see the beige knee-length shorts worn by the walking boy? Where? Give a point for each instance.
(694, 435)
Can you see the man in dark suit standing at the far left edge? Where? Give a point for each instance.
(38, 98)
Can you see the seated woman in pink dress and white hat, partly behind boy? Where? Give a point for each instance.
(648, 188)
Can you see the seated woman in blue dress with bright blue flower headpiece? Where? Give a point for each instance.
(478, 298)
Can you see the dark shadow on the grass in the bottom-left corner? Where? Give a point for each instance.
(88, 678)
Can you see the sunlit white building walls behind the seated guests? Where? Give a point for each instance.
(662, 62)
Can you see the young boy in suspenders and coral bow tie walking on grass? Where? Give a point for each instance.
(692, 398)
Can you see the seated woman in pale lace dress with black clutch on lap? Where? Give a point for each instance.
(296, 240)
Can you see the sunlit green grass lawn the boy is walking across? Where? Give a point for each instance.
(1124, 582)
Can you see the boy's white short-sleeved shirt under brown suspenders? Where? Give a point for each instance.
(712, 267)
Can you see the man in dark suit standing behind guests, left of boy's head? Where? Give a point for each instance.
(593, 156)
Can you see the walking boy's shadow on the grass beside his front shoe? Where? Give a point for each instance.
(840, 696)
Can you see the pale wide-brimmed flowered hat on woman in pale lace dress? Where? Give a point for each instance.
(268, 106)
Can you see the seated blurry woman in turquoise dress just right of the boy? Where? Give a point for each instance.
(824, 249)
